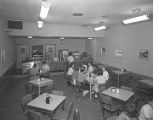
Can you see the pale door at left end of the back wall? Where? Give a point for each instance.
(22, 51)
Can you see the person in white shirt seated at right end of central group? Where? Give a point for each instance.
(100, 79)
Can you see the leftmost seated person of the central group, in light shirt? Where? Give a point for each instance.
(69, 74)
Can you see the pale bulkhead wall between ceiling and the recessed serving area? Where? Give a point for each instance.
(53, 30)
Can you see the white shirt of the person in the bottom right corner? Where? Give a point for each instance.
(146, 112)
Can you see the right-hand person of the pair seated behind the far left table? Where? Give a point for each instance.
(44, 71)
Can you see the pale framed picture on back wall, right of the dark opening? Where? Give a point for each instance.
(50, 51)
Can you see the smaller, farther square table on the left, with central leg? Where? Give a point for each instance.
(40, 82)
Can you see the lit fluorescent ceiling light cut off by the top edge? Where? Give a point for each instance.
(45, 6)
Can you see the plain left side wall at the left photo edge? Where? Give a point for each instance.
(7, 44)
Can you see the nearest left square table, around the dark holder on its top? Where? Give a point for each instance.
(40, 103)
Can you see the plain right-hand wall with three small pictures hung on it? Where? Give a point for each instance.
(130, 39)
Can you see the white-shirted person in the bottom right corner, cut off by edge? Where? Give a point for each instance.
(146, 112)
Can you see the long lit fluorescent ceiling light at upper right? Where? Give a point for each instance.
(136, 19)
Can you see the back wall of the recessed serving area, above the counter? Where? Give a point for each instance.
(70, 43)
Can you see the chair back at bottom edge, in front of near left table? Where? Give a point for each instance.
(33, 115)
